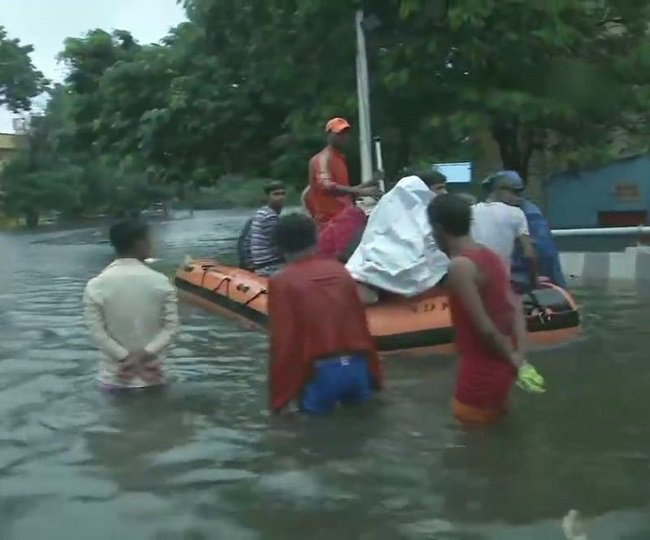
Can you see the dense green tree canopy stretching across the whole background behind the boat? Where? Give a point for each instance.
(244, 88)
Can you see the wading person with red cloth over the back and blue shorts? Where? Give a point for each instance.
(322, 353)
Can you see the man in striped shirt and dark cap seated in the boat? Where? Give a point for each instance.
(259, 251)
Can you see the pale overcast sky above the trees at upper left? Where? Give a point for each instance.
(46, 23)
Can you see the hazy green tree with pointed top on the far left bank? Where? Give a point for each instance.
(52, 174)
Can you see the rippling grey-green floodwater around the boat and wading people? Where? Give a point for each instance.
(204, 460)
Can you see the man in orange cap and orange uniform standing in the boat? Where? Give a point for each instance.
(329, 179)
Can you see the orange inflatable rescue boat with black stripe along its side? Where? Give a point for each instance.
(398, 324)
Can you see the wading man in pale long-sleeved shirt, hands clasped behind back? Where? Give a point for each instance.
(131, 312)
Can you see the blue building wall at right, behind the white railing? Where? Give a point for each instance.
(575, 199)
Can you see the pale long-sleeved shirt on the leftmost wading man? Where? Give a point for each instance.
(130, 307)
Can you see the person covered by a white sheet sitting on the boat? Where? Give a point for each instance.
(397, 252)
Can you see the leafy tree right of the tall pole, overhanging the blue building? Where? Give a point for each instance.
(526, 71)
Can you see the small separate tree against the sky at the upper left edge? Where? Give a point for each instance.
(19, 80)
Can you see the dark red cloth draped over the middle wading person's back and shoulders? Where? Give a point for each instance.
(314, 313)
